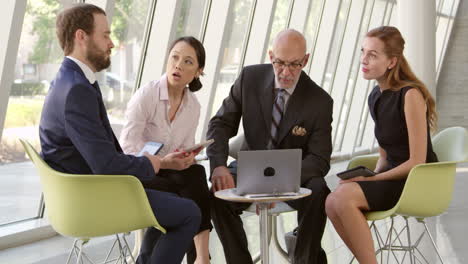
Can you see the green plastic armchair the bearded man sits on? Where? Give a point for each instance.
(88, 206)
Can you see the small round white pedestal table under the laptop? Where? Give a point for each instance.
(263, 204)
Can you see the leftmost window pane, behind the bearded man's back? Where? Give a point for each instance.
(39, 57)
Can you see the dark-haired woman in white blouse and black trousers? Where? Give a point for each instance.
(167, 111)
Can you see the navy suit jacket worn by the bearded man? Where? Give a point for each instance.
(75, 133)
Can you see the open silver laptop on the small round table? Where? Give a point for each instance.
(269, 172)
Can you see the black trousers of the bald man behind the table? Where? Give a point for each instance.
(311, 224)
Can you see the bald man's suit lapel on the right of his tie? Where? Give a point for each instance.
(295, 105)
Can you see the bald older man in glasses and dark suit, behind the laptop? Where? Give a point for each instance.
(281, 108)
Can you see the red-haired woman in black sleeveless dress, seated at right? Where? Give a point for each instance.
(404, 112)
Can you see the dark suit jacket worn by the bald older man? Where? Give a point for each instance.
(251, 97)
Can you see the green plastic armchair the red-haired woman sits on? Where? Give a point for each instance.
(427, 192)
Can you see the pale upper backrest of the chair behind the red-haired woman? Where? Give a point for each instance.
(451, 144)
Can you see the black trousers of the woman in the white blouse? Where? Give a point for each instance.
(190, 183)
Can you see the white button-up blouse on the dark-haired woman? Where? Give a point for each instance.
(147, 119)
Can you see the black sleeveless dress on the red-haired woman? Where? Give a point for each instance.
(391, 132)
